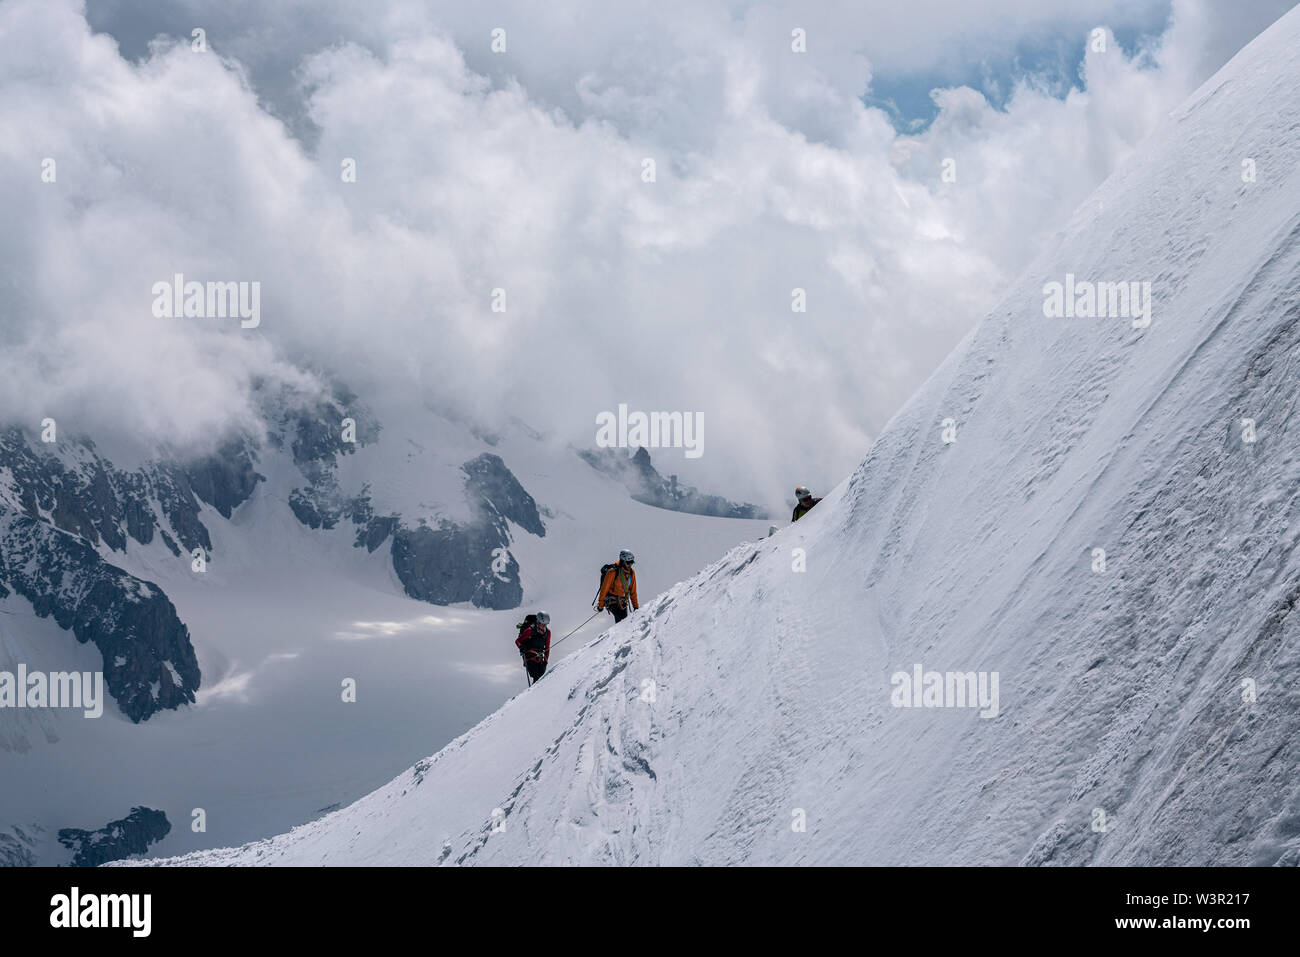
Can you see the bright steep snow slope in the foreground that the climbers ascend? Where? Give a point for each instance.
(1147, 705)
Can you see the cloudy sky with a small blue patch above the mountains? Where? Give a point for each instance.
(523, 171)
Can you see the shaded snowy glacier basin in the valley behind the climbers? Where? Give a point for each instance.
(284, 613)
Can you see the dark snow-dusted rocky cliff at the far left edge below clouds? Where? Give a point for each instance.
(66, 510)
